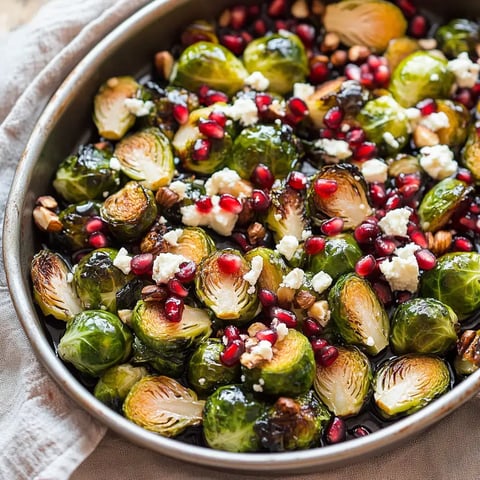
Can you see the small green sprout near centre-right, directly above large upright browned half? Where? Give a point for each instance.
(339, 256)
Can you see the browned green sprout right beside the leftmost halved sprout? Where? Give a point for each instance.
(98, 280)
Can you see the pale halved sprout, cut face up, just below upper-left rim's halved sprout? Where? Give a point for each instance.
(146, 156)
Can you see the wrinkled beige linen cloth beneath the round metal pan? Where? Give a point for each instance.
(45, 435)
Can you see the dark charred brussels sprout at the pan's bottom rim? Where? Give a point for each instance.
(293, 423)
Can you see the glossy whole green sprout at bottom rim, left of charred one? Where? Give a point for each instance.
(229, 419)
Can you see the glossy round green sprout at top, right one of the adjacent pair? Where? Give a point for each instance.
(280, 57)
